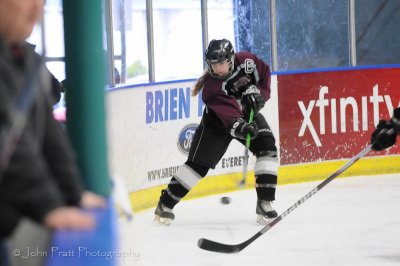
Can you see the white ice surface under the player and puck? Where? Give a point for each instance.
(352, 221)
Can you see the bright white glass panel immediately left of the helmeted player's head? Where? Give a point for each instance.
(178, 52)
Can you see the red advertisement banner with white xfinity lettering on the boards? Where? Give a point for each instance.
(331, 115)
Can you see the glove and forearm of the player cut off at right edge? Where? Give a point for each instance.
(386, 132)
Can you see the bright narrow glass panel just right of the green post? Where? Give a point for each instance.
(130, 40)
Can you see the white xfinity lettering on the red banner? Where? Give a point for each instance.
(345, 108)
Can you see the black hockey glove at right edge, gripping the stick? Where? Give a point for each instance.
(384, 135)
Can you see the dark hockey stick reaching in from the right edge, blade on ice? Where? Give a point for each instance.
(226, 248)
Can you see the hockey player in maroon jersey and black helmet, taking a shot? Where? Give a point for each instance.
(233, 85)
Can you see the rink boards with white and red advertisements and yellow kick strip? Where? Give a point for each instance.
(323, 119)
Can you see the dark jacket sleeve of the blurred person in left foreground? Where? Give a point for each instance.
(41, 174)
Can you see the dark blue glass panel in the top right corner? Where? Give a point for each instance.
(377, 32)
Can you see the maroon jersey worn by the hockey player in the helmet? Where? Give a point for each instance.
(222, 97)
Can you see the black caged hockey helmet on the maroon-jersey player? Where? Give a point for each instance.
(219, 51)
